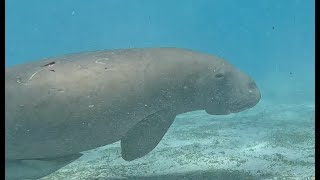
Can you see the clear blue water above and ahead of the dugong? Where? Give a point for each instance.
(271, 40)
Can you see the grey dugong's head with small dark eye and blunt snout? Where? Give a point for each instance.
(223, 89)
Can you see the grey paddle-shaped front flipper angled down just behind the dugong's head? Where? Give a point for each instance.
(145, 136)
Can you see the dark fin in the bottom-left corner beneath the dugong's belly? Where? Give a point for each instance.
(36, 168)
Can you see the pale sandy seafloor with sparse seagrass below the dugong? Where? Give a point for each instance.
(269, 141)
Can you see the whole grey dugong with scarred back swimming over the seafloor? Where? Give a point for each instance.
(58, 107)
